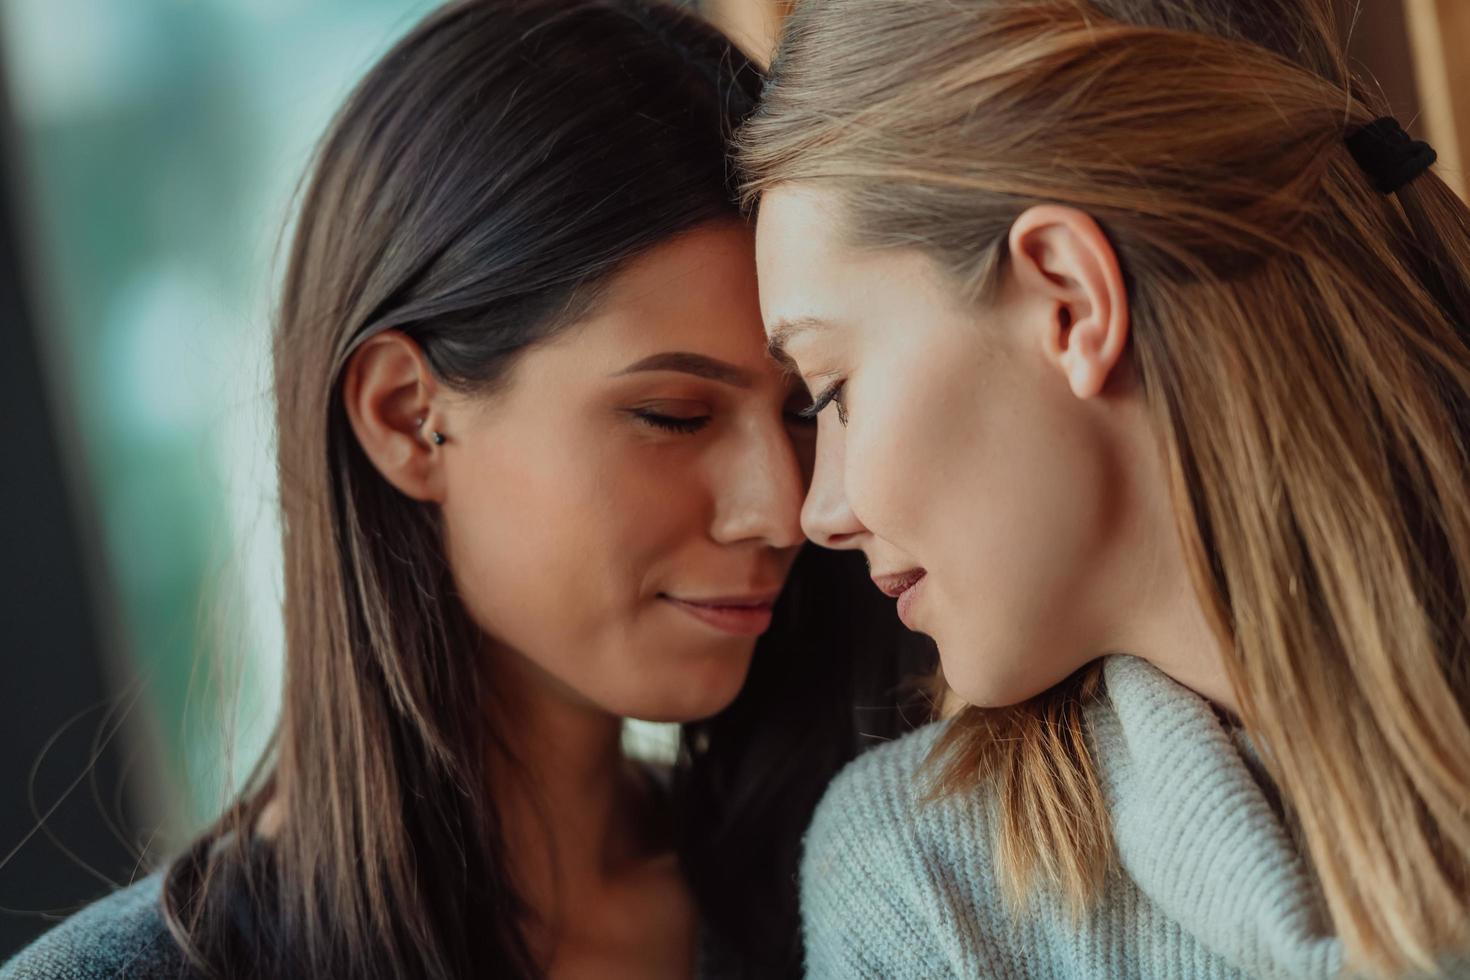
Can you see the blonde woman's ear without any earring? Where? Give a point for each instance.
(1065, 265)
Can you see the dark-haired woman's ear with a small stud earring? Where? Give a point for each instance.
(389, 393)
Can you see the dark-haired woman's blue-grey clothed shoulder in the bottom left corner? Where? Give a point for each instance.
(123, 935)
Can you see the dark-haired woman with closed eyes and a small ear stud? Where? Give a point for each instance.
(537, 477)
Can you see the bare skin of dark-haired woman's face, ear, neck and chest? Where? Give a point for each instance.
(620, 518)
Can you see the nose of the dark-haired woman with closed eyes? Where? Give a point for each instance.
(761, 491)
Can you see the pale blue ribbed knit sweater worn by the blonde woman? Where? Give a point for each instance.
(1208, 882)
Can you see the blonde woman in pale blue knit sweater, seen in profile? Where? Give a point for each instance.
(1147, 346)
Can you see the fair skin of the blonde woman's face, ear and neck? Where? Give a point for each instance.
(1000, 449)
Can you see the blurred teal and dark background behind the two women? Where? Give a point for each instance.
(149, 152)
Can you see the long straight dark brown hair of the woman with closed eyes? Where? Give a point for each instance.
(486, 177)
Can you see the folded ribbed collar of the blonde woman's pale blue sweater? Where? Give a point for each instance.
(1197, 832)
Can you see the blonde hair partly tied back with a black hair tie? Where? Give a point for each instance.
(1305, 347)
